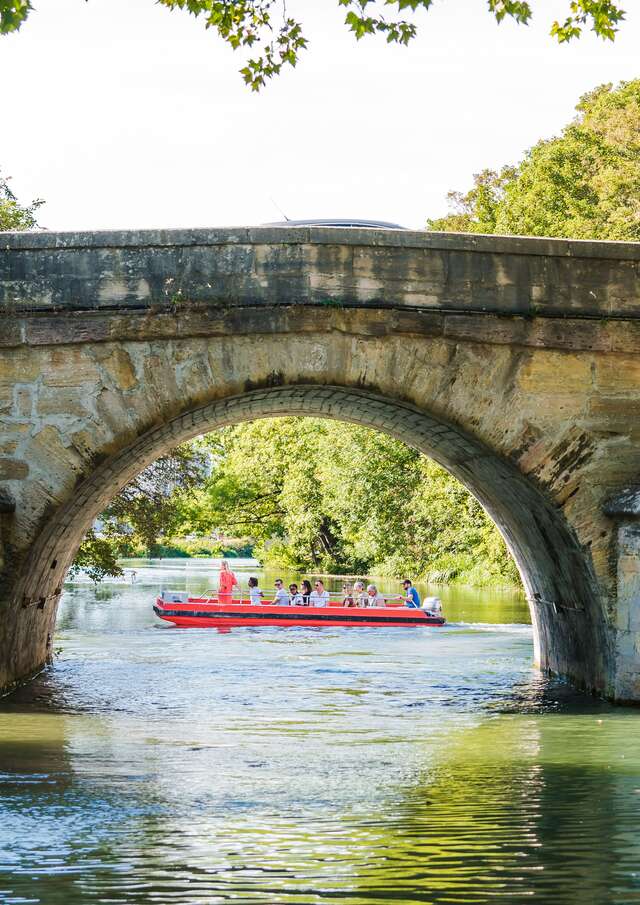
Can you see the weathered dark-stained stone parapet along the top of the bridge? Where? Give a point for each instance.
(319, 266)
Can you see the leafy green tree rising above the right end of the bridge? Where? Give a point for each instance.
(585, 184)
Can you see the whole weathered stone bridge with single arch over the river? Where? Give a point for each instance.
(515, 363)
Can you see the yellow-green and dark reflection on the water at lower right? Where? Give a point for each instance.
(539, 807)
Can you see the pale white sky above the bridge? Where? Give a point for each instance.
(122, 114)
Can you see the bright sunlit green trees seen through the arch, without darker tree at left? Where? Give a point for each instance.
(332, 496)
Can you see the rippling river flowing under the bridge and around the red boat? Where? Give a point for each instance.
(337, 765)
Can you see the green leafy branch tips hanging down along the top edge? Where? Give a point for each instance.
(279, 38)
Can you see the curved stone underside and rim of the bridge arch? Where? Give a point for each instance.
(560, 585)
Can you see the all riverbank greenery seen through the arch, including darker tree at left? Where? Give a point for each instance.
(310, 494)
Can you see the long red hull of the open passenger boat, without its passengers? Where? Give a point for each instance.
(206, 612)
